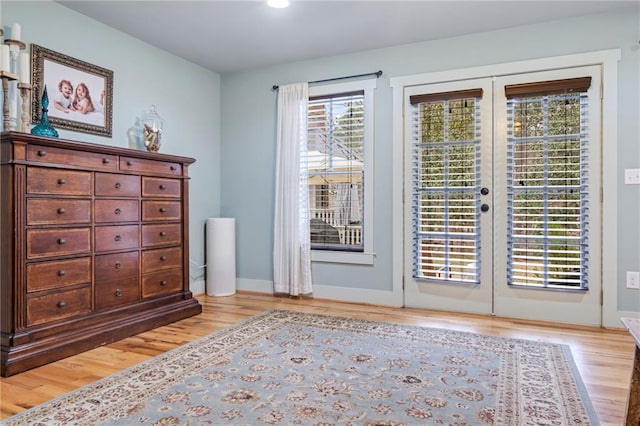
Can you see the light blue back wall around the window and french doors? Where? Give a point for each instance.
(248, 134)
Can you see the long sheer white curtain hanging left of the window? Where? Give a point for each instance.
(292, 245)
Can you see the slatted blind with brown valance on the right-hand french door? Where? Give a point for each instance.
(547, 184)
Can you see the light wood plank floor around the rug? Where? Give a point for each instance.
(604, 357)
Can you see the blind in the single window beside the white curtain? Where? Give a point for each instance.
(335, 162)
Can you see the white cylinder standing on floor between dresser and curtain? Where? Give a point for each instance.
(221, 256)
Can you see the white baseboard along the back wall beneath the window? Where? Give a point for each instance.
(340, 294)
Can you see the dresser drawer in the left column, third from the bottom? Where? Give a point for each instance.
(58, 242)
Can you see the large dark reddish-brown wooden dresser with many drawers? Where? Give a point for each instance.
(94, 246)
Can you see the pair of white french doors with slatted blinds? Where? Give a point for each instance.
(501, 200)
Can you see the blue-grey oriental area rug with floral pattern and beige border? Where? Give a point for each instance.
(289, 368)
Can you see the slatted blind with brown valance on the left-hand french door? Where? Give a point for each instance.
(446, 186)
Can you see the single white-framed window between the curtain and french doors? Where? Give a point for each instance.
(338, 157)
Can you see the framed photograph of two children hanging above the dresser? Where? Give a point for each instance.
(80, 94)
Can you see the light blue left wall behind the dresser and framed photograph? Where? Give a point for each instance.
(186, 95)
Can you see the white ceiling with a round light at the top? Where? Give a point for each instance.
(226, 36)
